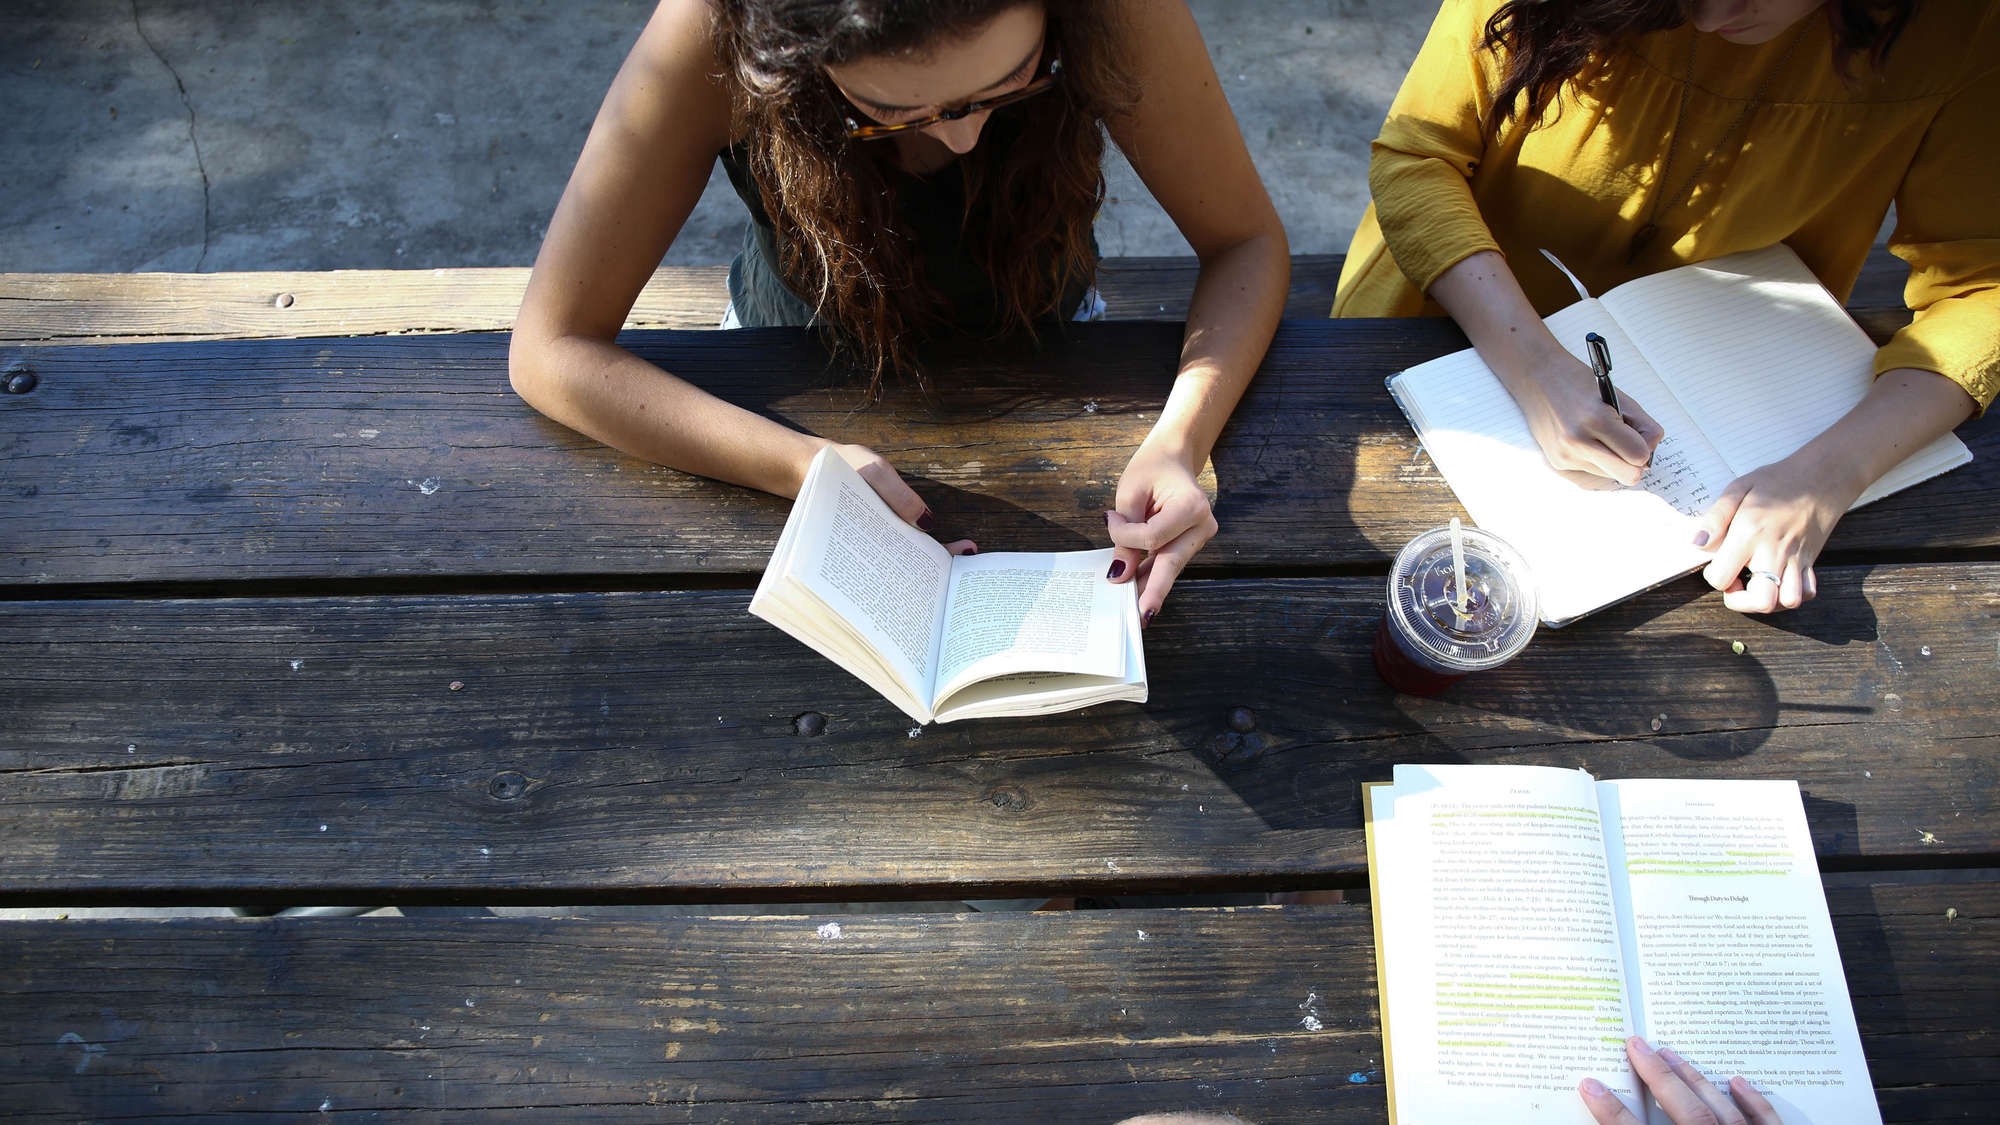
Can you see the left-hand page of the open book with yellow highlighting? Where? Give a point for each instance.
(1499, 942)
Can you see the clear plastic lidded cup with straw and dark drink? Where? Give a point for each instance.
(1431, 638)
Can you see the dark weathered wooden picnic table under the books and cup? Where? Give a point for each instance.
(339, 620)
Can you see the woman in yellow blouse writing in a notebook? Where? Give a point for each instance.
(1631, 137)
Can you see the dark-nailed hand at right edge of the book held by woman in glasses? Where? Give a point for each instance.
(1161, 521)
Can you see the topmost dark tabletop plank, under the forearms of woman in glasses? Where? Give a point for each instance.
(411, 457)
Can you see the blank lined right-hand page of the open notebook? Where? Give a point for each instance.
(1759, 353)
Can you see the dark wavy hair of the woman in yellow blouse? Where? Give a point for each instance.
(1551, 43)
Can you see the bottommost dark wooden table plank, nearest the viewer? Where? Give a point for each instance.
(901, 1018)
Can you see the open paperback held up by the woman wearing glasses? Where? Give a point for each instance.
(947, 638)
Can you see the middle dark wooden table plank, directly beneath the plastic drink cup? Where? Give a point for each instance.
(643, 746)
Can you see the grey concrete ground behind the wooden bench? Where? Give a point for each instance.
(239, 135)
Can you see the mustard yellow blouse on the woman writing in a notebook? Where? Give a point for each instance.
(1815, 165)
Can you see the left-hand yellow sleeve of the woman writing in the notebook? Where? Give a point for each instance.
(1431, 143)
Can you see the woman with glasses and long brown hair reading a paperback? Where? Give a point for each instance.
(915, 169)
